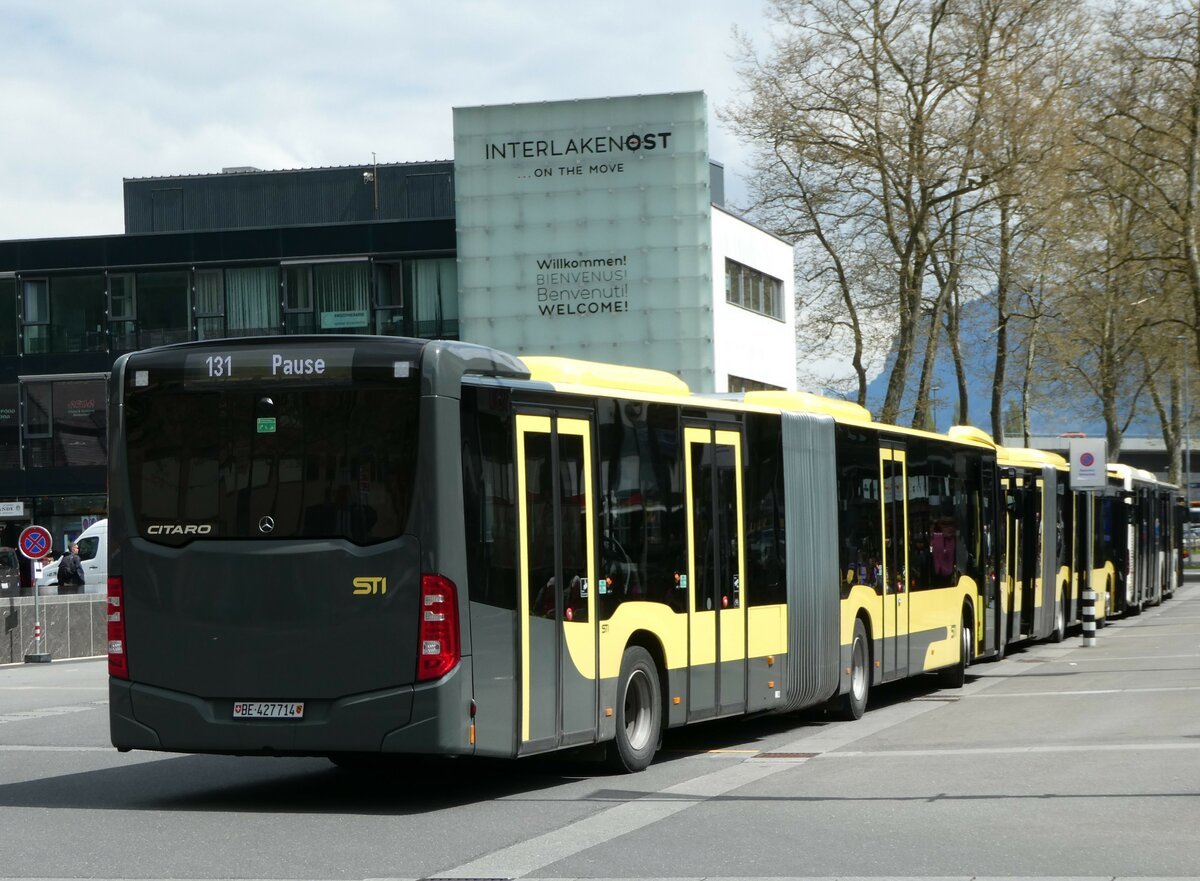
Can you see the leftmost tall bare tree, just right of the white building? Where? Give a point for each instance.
(868, 97)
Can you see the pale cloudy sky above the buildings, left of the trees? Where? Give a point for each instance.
(98, 92)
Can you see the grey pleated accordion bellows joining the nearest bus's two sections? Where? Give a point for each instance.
(811, 476)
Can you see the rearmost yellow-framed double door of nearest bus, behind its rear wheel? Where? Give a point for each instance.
(557, 535)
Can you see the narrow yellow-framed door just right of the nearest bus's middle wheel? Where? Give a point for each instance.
(893, 471)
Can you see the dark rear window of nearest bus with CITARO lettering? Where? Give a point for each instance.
(273, 463)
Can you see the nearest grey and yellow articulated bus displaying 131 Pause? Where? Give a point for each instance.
(351, 547)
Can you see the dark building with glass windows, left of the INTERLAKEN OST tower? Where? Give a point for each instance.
(355, 250)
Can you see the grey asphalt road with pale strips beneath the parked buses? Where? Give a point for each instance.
(1059, 762)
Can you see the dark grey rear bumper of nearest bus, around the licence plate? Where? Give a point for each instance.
(428, 718)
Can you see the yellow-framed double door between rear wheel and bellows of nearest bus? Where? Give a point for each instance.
(717, 678)
